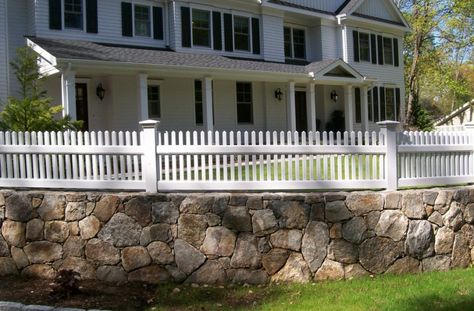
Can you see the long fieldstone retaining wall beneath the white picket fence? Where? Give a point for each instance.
(242, 238)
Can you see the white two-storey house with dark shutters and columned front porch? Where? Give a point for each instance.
(208, 64)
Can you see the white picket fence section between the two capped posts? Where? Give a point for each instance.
(269, 160)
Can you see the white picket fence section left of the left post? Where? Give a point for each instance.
(83, 160)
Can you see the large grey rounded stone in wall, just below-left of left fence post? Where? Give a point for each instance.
(120, 231)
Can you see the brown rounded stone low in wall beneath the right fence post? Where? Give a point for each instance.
(377, 254)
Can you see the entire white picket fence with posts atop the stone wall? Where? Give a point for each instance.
(172, 161)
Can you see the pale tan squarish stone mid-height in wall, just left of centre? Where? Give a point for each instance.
(219, 242)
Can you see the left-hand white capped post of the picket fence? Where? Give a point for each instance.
(149, 164)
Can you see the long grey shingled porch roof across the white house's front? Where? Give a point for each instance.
(62, 51)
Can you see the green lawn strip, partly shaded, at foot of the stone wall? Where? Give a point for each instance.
(436, 291)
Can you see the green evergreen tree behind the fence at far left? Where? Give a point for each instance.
(32, 111)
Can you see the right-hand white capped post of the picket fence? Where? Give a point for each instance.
(389, 130)
